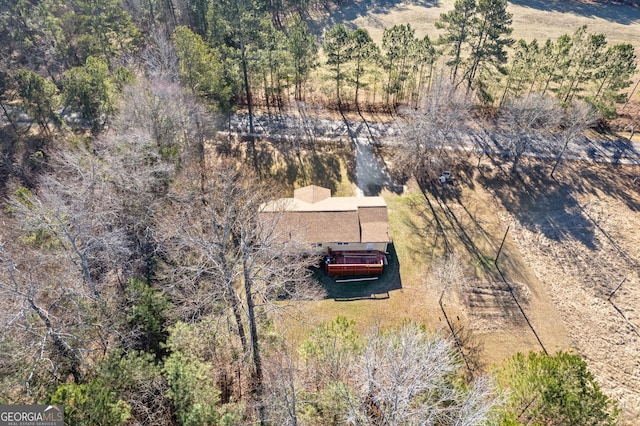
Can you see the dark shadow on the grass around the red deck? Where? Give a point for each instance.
(359, 290)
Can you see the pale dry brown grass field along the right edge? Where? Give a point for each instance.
(579, 237)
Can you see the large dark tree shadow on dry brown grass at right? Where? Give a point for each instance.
(543, 205)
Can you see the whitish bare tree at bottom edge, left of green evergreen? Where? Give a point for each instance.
(407, 376)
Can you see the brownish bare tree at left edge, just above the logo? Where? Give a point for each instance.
(48, 326)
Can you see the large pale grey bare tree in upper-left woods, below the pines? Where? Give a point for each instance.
(160, 130)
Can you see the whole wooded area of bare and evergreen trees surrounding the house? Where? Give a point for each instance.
(139, 284)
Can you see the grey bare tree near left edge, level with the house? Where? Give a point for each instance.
(69, 215)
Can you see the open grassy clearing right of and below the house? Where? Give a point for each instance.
(559, 261)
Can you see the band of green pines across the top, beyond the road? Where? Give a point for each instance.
(251, 54)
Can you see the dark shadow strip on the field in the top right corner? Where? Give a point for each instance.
(618, 13)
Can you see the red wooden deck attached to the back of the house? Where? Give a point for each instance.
(343, 263)
